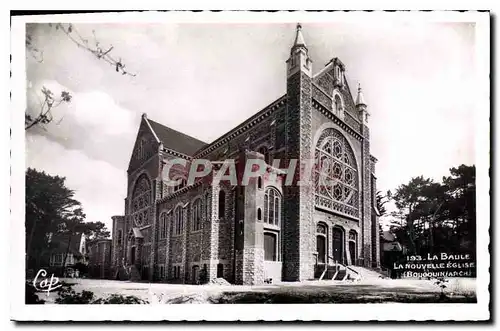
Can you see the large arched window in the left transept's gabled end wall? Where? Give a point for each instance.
(141, 201)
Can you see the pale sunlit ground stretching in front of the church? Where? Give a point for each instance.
(367, 290)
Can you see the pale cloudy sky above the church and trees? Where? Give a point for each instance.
(418, 80)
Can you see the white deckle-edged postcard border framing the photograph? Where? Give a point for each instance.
(249, 312)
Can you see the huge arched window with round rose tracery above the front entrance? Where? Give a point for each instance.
(336, 174)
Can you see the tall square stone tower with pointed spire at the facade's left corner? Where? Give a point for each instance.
(298, 208)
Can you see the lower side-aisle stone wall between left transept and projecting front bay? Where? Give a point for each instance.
(210, 246)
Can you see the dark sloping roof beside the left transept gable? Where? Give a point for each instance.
(176, 140)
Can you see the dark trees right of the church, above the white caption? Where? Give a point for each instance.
(434, 216)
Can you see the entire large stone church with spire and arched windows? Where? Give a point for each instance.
(267, 229)
